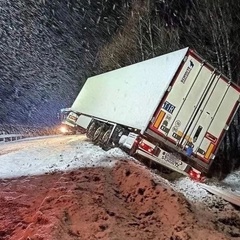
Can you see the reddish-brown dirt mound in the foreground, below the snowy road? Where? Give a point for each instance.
(100, 203)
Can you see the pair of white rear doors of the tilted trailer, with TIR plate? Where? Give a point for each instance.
(197, 110)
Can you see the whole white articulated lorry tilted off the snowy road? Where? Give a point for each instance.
(173, 110)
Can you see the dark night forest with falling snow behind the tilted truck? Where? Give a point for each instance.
(49, 48)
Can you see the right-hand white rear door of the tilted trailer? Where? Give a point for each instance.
(212, 119)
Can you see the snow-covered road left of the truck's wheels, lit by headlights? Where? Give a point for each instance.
(40, 155)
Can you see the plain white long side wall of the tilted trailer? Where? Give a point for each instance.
(129, 95)
